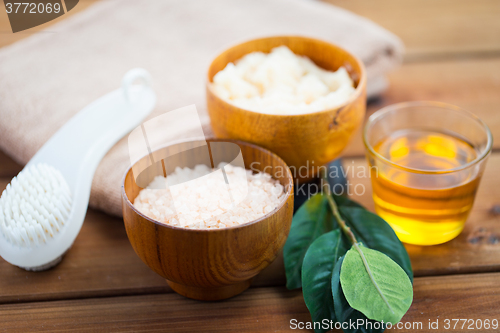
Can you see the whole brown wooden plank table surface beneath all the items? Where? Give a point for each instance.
(453, 55)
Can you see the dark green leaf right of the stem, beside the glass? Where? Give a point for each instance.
(371, 230)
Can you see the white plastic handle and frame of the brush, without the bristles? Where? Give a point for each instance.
(76, 150)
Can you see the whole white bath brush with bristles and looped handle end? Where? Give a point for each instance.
(43, 208)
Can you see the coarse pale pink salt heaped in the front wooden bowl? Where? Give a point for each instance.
(200, 199)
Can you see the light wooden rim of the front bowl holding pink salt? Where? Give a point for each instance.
(289, 179)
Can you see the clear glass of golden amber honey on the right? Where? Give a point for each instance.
(426, 161)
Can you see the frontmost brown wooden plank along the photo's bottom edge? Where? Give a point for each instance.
(257, 310)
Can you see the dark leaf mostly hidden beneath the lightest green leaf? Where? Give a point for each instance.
(343, 311)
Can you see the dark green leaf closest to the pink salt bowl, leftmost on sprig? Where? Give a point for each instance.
(313, 219)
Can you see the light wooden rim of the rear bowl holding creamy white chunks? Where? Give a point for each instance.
(357, 92)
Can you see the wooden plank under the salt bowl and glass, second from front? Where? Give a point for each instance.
(102, 262)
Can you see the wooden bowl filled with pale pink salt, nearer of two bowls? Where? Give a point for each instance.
(210, 216)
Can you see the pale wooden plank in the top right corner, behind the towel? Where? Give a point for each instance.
(435, 28)
